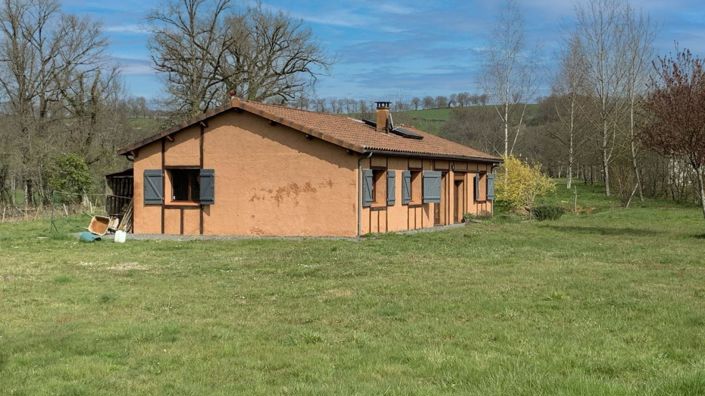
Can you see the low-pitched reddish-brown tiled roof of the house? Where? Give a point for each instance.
(340, 130)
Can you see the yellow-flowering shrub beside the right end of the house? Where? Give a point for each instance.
(519, 184)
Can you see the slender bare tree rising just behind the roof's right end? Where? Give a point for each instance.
(508, 77)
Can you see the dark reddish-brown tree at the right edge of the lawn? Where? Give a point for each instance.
(676, 110)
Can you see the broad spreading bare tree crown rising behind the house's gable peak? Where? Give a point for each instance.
(206, 51)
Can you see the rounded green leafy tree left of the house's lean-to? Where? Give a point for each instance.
(70, 178)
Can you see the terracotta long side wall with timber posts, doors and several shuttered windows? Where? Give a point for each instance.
(400, 217)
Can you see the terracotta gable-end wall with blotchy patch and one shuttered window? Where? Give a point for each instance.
(269, 181)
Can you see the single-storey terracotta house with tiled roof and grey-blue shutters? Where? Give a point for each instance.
(254, 169)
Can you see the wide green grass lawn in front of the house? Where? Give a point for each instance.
(607, 303)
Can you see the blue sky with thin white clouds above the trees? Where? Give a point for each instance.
(392, 50)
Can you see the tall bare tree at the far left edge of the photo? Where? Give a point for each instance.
(41, 50)
